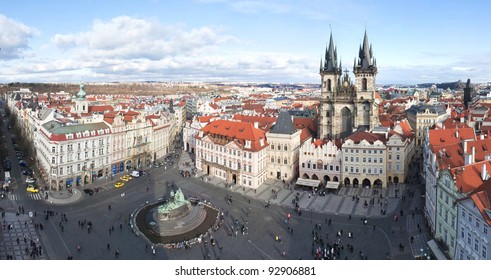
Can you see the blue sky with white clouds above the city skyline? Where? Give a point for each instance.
(272, 41)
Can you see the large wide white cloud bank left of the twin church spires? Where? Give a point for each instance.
(132, 38)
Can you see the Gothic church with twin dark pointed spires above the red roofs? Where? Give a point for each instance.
(347, 106)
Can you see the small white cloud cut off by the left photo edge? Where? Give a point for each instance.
(14, 38)
